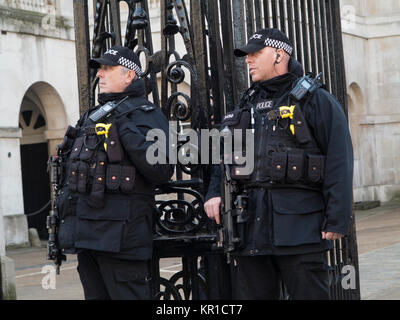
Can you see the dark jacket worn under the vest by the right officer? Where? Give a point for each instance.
(290, 220)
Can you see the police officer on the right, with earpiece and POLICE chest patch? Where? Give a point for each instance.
(300, 191)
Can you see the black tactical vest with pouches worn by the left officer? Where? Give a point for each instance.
(97, 164)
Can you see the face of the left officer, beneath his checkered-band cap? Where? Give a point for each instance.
(112, 79)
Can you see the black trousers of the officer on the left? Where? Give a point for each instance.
(105, 278)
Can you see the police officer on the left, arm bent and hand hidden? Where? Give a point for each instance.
(107, 197)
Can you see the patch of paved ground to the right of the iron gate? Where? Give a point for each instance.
(378, 238)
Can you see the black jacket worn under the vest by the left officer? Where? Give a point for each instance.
(122, 227)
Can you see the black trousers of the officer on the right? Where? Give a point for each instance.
(305, 277)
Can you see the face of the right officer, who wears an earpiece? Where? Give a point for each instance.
(261, 64)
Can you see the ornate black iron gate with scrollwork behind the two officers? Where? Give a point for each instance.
(210, 30)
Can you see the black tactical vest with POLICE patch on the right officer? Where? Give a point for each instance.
(280, 159)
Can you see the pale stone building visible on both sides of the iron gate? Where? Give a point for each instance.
(38, 98)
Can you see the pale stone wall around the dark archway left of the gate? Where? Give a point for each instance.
(37, 54)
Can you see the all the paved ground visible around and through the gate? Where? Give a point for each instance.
(378, 238)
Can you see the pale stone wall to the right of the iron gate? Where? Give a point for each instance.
(371, 37)
